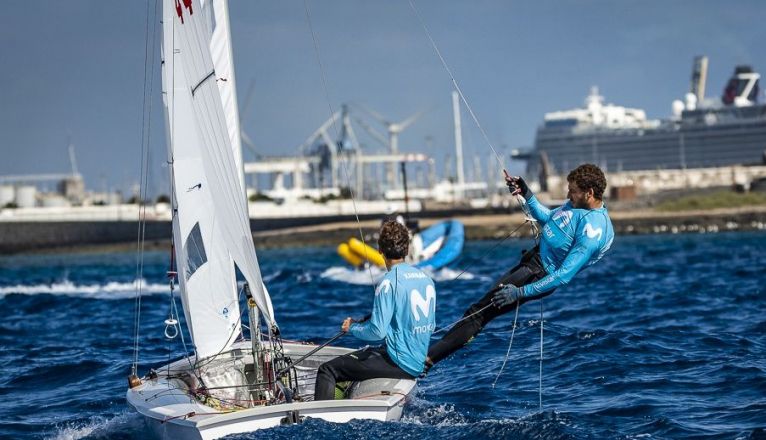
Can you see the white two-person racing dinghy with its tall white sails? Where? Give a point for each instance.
(230, 384)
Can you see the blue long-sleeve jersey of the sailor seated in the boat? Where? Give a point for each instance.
(404, 314)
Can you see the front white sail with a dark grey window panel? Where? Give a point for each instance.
(210, 223)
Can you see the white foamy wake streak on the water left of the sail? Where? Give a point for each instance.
(109, 290)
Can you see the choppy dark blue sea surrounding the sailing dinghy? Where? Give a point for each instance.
(665, 338)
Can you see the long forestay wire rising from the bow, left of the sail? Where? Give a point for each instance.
(149, 64)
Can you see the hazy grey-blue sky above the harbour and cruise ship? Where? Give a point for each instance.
(76, 70)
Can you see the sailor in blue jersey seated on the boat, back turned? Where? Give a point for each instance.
(403, 315)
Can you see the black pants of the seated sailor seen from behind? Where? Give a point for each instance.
(367, 363)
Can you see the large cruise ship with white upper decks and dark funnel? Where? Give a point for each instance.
(701, 133)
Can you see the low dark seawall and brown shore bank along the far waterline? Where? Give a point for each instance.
(18, 237)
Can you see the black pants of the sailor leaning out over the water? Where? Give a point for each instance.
(529, 270)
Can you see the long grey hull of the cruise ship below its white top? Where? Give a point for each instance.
(699, 140)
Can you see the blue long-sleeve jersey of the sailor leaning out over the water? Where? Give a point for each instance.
(571, 240)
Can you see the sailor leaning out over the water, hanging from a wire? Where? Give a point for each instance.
(573, 237)
